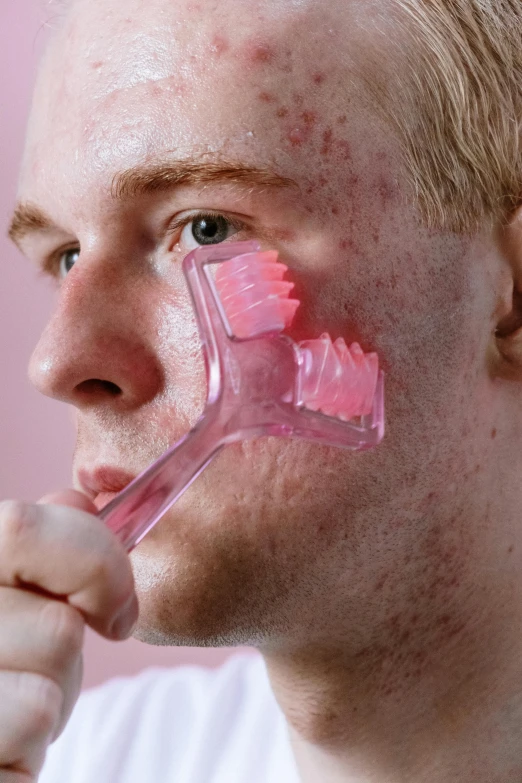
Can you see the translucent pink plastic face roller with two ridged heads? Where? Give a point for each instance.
(260, 381)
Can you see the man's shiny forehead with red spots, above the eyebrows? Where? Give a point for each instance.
(125, 80)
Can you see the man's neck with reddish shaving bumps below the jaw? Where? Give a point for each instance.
(443, 705)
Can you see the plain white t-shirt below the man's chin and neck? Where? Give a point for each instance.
(184, 725)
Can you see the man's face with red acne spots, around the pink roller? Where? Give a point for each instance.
(276, 539)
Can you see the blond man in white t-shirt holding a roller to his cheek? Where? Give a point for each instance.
(376, 146)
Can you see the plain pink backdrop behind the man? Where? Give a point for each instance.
(36, 436)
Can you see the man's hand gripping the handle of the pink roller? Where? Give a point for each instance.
(60, 568)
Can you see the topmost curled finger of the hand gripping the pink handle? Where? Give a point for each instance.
(69, 554)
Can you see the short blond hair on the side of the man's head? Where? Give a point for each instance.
(459, 109)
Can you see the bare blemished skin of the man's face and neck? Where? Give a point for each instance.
(384, 588)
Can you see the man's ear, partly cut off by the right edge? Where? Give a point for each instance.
(508, 335)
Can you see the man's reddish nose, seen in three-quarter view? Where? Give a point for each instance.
(98, 347)
